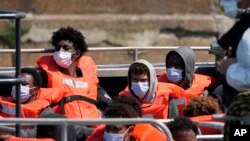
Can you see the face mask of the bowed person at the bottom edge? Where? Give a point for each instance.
(114, 136)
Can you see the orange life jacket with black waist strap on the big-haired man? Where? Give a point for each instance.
(75, 88)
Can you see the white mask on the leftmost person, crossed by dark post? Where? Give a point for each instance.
(24, 93)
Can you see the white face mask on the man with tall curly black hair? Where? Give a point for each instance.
(63, 58)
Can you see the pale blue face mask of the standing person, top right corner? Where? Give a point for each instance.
(230, 7)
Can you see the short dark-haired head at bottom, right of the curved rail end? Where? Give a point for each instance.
(183, 129)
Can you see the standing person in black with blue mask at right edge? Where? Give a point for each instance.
(229, 43)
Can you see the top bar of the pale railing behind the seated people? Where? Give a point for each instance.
(50, 50)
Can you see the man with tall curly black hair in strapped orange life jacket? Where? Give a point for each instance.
(74, 72)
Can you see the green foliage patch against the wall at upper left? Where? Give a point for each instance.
(7, 34)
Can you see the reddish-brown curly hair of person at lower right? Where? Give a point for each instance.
(201, 105)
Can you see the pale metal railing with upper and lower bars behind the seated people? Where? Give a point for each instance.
(115, 70)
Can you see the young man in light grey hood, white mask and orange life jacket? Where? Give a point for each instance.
(154, 96)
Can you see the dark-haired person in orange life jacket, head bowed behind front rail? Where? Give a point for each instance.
(125, 107)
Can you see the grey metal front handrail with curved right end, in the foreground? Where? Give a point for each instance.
(65, 122)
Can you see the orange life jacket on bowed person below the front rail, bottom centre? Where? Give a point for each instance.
(141, 132)
